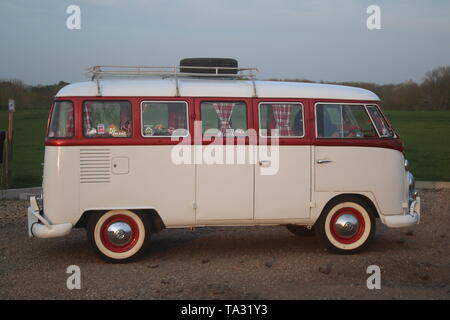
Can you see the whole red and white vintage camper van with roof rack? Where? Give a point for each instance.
(109, 159)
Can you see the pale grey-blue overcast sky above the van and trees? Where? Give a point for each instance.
(317, 40)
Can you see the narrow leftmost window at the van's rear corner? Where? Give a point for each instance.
(61, 123)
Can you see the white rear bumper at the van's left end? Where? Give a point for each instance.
(39, 227)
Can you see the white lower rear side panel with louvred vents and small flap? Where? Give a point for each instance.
(78, 179)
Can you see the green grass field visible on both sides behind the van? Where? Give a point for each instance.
(424, 134)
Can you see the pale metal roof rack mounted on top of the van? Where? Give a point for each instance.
(98, 72)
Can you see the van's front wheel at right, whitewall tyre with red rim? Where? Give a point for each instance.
(346, 225)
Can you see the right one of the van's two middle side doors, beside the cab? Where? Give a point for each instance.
(284, 191)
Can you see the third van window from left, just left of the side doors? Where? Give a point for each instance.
(164, 119)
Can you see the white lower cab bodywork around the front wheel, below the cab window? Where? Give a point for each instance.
(362, 170)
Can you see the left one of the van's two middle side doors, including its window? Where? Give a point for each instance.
(224, 184)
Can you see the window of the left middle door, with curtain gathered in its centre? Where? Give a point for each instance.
(224, 118)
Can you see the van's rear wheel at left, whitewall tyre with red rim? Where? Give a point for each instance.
(119, 235)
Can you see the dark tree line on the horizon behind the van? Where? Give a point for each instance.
(433, 93)
